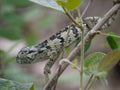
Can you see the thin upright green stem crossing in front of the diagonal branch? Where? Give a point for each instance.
(82, 61)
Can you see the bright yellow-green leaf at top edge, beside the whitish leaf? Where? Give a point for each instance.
(69, 4)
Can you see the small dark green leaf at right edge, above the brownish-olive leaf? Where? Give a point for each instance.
(113, 40)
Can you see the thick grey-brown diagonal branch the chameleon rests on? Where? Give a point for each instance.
(87, 38)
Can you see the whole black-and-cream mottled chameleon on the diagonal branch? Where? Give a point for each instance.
(51, 48)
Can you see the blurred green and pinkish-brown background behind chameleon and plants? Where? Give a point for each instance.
(24, 23)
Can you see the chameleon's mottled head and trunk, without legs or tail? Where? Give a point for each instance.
(50, 48)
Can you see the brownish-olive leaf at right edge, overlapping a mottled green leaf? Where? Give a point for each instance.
(109, 61)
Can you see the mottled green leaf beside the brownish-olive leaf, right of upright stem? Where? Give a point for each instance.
(92, 61)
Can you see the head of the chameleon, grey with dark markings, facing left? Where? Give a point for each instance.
(26, 55)
